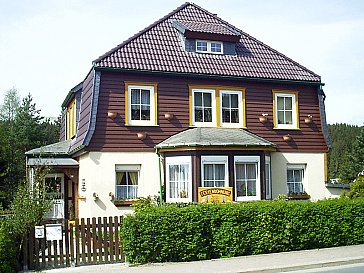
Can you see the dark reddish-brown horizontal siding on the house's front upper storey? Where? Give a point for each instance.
(113, 135)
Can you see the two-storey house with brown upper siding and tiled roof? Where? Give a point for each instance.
(190, 101)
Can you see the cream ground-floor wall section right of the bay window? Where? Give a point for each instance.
(314, 173)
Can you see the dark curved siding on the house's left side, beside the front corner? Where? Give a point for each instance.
(85, 110)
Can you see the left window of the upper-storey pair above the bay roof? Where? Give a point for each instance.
(204, 107)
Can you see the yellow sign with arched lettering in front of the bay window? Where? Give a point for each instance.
(215, 195)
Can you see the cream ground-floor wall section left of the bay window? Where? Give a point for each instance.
(97, 175)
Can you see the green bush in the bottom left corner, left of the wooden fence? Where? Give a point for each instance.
(8, 250)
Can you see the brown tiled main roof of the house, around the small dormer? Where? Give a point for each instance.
(158, 48)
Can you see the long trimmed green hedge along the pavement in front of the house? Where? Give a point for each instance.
(170, 233)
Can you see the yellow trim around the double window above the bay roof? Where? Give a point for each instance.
(217, 89)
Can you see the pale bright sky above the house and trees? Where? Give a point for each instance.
(47, 46)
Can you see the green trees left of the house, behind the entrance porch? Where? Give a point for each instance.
(22, 128)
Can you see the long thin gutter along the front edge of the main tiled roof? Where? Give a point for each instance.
(208, 76)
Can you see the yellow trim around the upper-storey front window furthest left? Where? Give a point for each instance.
(150, 84)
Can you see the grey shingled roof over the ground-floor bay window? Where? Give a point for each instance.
(204, 137)
